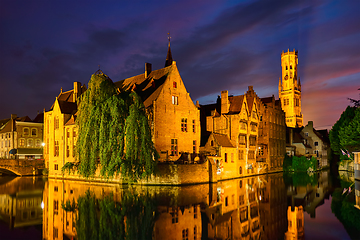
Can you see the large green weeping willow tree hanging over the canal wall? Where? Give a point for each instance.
(113, 132)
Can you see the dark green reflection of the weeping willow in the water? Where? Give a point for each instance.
(133, 217)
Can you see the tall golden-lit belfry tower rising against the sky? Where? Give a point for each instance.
(290, 89)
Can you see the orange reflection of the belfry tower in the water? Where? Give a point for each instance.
(295, 223)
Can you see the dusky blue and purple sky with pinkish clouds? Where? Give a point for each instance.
(217, 45)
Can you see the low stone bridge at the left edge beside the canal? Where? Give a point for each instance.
(21, 167)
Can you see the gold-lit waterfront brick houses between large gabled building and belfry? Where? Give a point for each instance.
(246, 132)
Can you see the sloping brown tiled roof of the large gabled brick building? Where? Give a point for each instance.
(148, 88)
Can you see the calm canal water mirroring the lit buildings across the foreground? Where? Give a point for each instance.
(274, 206)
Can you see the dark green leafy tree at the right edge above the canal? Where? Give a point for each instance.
(340, 135)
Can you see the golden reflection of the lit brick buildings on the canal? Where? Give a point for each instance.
(234, 209)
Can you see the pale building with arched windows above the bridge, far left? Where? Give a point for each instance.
(21, 137)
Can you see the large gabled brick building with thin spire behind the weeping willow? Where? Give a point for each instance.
(173, 117)
